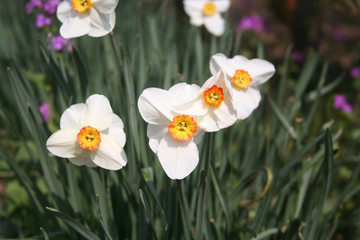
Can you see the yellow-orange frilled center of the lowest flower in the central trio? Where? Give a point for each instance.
(182, 128)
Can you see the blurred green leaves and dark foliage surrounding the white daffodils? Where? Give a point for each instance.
(290, 171)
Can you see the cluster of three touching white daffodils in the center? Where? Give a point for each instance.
(177, 118)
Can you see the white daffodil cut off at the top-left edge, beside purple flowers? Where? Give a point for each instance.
(95, 18)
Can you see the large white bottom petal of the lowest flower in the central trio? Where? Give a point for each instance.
(177, 158)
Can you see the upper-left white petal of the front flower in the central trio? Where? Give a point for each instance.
(154, 106)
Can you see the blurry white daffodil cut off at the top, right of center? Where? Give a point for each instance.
(207, 12)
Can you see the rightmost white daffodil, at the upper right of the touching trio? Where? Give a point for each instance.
(245, 76)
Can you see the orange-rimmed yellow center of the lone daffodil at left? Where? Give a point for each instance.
(89, 138)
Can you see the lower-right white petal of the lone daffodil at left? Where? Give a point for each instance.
(110, 155)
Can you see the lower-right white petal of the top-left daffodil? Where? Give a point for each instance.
(101, 23)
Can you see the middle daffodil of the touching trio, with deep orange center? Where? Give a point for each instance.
(213, 104)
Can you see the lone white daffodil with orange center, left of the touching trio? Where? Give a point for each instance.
(90, 134)
